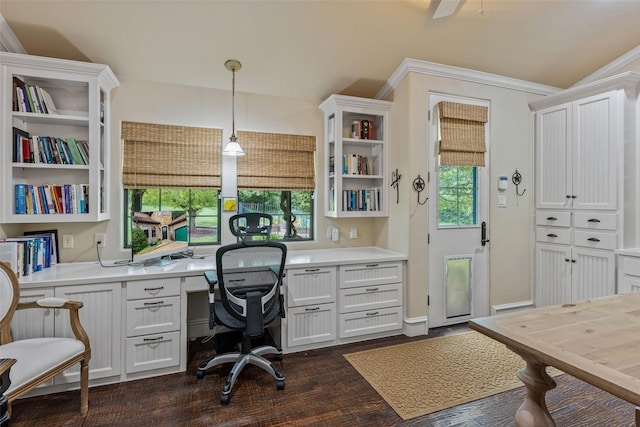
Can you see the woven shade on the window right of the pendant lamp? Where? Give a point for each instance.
(276, 161)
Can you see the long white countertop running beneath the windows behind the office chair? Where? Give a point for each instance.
(92, 272)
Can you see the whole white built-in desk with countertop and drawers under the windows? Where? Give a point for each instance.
(137, 317)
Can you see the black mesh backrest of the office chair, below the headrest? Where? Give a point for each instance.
(250, 270)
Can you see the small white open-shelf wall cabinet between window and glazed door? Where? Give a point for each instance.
(355, 156)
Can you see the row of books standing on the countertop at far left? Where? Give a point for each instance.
(30, 253)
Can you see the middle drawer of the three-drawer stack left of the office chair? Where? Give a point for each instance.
(152, 316)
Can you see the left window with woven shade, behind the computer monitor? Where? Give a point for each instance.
(171, 178)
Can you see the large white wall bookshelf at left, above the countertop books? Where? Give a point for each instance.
(81, 94)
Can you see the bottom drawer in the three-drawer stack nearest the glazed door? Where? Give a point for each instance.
(370, 322)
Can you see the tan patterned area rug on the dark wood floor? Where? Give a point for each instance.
(426, 376)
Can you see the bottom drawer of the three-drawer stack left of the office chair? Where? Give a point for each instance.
(153, 352)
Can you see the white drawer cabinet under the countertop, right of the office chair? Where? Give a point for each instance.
(332, 305)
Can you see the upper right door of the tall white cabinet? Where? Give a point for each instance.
(596, 151)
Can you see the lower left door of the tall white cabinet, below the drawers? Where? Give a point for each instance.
(552, 274)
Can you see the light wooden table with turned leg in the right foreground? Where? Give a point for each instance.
(597, 341)
